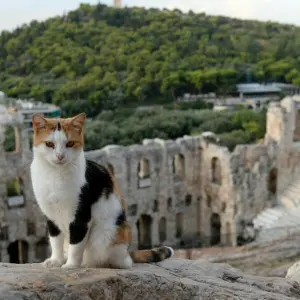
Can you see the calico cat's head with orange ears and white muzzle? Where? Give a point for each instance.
(59, 141)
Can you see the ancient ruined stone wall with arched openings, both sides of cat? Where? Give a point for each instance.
(188, 192)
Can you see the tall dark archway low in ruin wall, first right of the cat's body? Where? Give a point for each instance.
(144, 227)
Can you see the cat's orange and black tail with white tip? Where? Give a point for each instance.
(152, 255)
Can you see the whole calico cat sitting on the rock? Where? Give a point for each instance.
(84, 209)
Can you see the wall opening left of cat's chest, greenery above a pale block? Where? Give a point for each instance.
(15, 193)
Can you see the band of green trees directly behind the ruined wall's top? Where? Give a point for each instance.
(126, 126)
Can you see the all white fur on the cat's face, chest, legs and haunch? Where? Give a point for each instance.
(56, 188)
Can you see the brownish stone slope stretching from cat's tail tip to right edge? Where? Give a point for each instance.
(264, 259)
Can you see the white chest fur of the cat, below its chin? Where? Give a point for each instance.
(57, 194)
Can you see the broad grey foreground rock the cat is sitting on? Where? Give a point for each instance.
(171, 279)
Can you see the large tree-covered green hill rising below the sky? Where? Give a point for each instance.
(98, 57)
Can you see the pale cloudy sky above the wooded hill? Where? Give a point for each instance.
(16, 12)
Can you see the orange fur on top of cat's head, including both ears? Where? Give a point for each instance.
(72, 127)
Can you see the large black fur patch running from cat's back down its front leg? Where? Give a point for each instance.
(99, 183)
